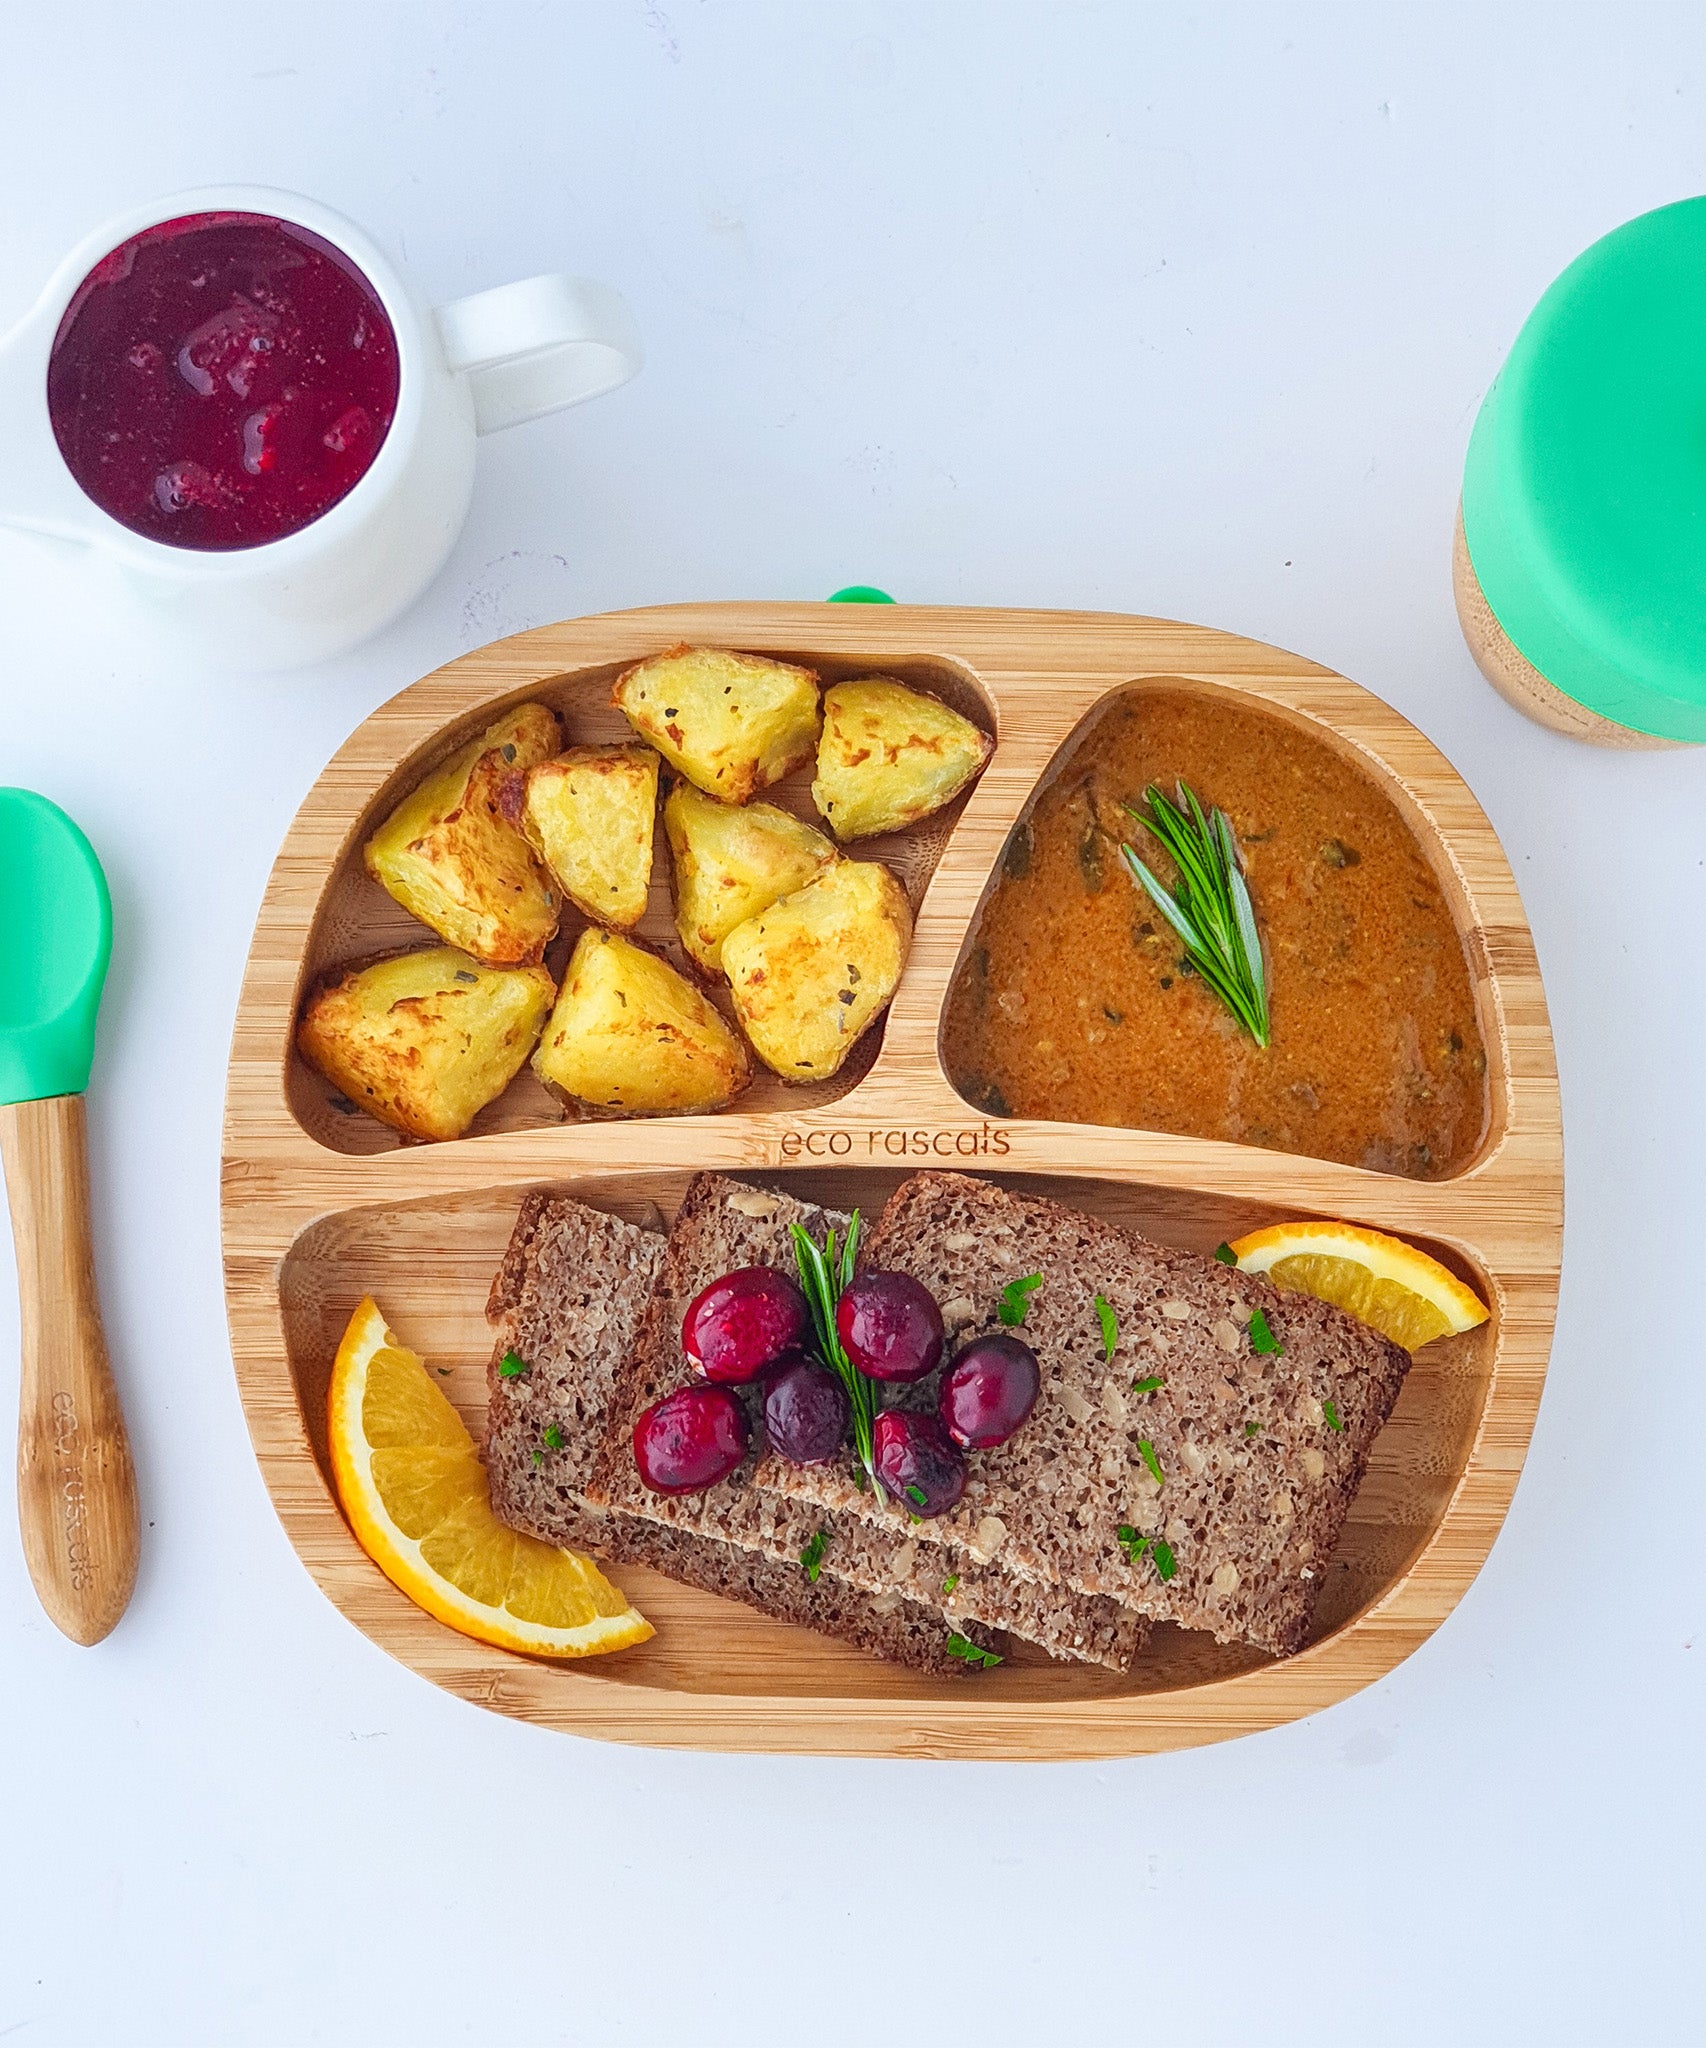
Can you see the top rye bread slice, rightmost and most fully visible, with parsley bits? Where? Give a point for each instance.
(1254, 1478)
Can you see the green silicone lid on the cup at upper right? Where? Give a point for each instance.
(1584, 499)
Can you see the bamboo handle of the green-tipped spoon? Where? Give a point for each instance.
(77, 1486)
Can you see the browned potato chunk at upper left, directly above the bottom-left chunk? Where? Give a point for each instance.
(454, 853)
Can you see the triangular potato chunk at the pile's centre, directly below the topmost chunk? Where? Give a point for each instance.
(734, 861)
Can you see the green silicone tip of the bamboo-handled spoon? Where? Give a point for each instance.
(56, 935)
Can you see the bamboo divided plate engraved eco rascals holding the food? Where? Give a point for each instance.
(323, 1207)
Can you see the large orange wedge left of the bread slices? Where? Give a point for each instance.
(421, 1506)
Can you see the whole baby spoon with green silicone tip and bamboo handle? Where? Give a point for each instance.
(77, 1486)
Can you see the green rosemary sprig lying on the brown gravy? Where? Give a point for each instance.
(1211, 908)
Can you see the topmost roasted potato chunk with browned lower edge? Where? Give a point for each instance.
(734, 724)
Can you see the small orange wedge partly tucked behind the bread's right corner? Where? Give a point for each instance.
(1383, 1281)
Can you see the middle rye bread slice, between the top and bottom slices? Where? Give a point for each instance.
(720, 1228)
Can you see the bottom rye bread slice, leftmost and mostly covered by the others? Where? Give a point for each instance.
(568, 1302)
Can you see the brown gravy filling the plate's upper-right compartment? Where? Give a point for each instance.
(1074, 1002)
